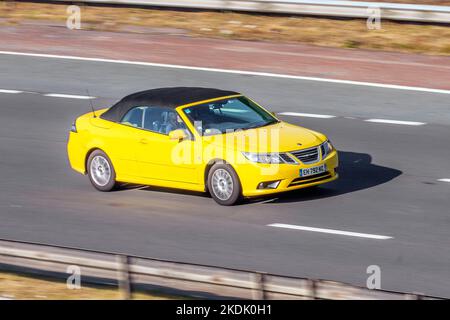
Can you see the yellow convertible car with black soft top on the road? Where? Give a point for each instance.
(198, 139)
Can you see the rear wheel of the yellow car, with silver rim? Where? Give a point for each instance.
(101, 171)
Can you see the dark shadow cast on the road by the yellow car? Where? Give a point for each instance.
(356, 172)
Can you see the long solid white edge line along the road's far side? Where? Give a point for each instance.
(231, 71)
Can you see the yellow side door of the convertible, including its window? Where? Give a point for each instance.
(159, 157)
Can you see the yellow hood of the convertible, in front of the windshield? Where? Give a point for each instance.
(280, 137)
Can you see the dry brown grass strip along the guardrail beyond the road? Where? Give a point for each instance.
(430, 39)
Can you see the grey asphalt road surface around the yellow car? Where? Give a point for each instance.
(389, 181)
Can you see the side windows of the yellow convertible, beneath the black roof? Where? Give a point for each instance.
(157, 119)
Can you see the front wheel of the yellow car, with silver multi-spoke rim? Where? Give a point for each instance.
(224, 185)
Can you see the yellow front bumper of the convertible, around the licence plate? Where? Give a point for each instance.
(252, 174)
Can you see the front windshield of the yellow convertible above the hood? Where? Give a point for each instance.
(228, 115)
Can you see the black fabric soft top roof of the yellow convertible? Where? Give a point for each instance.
(163, 97)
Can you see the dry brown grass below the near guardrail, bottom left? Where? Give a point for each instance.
(15, 286)
